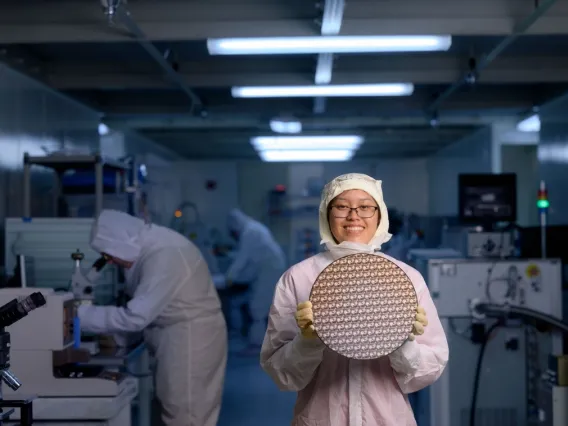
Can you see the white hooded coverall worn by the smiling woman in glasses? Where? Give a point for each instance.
(334, 390)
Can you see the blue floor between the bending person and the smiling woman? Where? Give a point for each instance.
(251, 398)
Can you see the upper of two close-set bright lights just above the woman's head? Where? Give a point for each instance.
(310, 143)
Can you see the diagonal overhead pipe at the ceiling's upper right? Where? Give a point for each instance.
(518, 30)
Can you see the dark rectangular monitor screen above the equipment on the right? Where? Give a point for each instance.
(487, 198)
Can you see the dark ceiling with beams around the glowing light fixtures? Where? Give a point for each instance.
(71, 46)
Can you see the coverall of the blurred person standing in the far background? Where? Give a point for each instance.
(260, 261)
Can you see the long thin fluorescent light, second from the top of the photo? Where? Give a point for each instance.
(344, 90)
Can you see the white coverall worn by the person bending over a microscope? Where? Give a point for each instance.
(176, 305)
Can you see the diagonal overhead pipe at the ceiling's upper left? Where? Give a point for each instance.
(115, 11)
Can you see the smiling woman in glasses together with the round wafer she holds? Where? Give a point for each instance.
(343, 330)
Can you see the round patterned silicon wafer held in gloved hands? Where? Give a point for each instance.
(364, 306)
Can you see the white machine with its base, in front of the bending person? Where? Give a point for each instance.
(68, 386)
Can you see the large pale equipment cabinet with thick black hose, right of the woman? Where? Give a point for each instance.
(508, 396)
